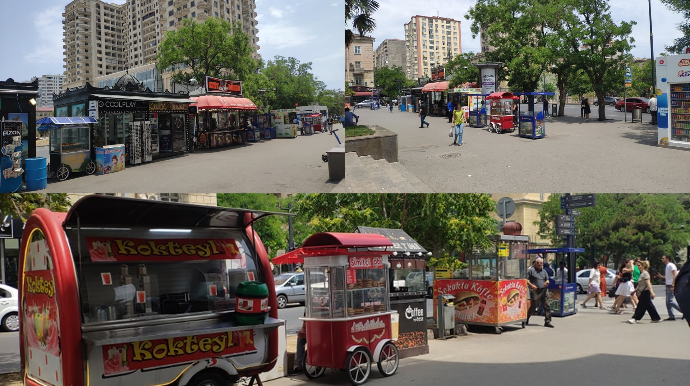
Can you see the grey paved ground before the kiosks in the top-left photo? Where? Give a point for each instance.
(279, 165)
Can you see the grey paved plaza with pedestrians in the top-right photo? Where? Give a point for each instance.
(575, 155)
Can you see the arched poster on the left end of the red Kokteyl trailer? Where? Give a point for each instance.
(41, 332)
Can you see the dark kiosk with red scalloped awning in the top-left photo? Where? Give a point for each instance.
(219, 120)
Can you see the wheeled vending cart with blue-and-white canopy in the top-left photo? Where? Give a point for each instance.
(70, 145)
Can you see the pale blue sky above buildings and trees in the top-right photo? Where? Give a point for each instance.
(393, 14)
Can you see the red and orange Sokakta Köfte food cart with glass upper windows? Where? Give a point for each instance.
(492, 291)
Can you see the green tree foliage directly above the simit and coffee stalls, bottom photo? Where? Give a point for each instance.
(442, 223)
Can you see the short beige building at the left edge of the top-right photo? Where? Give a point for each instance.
(359, 62)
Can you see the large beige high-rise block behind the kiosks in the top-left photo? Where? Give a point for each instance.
(101, 39)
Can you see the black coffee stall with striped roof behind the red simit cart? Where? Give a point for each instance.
(408, 288)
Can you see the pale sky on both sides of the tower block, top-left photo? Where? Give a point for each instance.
(309, 30)
